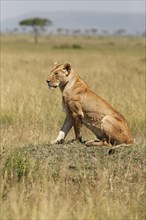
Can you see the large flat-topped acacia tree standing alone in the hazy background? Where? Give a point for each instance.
(38, 25)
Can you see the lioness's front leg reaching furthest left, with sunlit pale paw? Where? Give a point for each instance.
(64, 130)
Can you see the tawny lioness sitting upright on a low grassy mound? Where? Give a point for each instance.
(83, 106)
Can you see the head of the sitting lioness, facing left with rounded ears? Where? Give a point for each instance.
(59, 75)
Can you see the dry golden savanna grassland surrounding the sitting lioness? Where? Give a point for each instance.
(70, 181)
